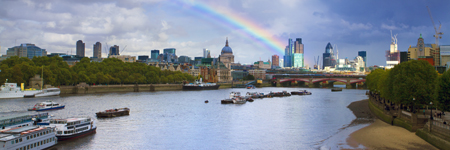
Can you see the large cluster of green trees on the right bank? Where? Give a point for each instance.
(414, 83)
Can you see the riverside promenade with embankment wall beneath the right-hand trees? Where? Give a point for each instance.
(435, 131)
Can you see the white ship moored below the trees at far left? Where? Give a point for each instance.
(11, 90)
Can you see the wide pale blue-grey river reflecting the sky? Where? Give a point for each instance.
(181, 119)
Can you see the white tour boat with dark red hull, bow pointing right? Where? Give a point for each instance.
(71, 128)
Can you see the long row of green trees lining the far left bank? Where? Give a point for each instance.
(56, 72)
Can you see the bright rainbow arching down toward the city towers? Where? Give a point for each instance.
(233, 20)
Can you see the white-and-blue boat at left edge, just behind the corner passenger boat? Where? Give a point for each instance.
(20, 120)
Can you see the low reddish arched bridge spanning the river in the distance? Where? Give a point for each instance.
(320, 80)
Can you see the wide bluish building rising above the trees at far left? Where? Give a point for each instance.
(26, 50)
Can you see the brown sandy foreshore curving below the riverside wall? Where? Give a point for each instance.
(380, 135)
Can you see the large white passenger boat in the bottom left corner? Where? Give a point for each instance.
(27, 138)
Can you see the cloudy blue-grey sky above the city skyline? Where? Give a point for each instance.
(144, 25)
